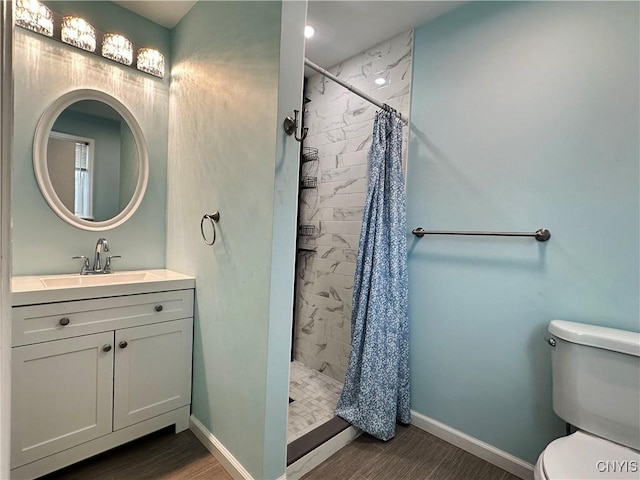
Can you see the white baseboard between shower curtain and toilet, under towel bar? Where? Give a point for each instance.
(489, 453)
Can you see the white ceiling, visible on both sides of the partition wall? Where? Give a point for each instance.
(343, 28)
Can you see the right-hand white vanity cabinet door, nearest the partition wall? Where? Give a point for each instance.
(152, 370)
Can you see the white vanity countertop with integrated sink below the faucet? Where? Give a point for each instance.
(29, 290)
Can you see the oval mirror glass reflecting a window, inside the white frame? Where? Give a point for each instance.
(92, 160)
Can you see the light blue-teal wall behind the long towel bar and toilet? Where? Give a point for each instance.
(524, 115)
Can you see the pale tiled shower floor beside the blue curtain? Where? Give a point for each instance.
(313, 398)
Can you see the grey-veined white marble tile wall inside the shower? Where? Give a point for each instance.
(340, 126)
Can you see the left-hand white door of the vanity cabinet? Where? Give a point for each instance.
(62, 395)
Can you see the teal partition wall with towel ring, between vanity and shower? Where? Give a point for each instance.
(227, 153)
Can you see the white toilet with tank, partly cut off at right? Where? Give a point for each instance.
(596, 388)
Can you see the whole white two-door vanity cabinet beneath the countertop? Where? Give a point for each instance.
(88, 375)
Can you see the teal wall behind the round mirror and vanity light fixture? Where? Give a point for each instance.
(45, 69)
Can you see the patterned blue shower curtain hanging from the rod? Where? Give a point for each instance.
(376, 390)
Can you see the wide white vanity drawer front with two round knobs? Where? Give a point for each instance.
(53, 321)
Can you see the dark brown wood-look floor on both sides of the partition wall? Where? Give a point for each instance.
(411, 455)
